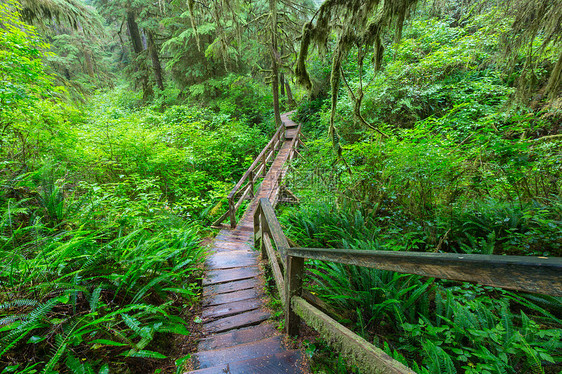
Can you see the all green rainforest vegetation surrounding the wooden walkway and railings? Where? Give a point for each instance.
(430, 125)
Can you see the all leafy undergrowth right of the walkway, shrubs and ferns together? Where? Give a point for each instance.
(461, 168)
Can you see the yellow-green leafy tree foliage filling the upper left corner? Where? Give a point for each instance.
(32, 113)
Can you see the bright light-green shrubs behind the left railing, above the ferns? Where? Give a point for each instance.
(187, 156)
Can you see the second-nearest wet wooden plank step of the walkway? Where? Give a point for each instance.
(264, 347)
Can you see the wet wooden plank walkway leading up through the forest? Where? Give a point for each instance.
(239, 339)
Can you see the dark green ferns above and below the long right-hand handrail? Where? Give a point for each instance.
(430, 325)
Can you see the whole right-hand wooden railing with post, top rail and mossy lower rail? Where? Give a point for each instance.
(523, 273)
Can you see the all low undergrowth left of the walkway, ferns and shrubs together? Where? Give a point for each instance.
(100, 234)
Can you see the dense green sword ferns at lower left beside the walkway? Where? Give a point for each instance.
(80, 291)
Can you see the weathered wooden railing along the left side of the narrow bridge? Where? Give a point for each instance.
(245, 187)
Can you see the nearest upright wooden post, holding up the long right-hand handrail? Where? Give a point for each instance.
(293, 287)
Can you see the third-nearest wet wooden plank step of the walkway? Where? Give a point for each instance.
(235, 337)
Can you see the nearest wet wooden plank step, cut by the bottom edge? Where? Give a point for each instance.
(289, 362)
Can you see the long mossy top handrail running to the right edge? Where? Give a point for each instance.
(522, 273)
